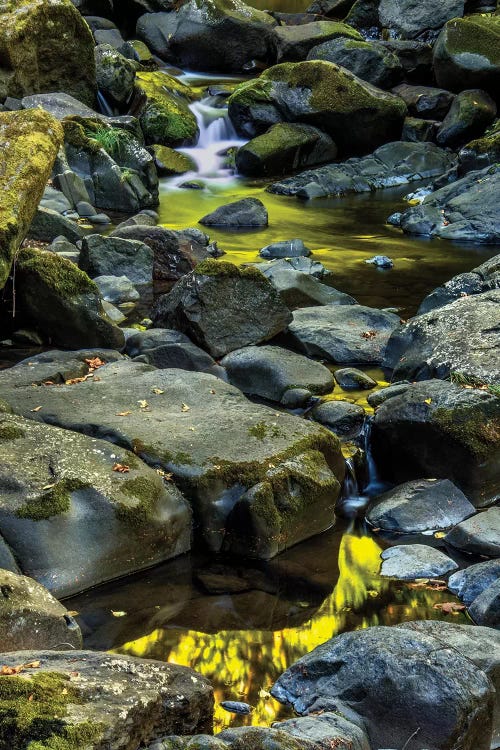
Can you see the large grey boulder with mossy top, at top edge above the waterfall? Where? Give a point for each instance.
(210, 35)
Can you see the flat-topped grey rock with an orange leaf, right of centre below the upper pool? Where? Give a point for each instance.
(343, 334)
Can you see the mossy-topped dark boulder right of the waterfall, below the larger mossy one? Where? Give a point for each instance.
(285, 148)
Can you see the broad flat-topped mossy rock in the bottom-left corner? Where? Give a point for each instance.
(121, 700)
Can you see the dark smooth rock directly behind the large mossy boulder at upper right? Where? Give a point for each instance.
(370, 61)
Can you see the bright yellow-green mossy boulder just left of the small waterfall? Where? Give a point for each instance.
(166, 118)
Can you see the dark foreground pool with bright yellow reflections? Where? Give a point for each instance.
(243, 626)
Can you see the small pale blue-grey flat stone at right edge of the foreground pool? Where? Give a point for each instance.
(410, 561)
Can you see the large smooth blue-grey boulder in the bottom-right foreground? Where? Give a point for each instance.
(384, 676)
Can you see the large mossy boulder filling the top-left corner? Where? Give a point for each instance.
(45, 45)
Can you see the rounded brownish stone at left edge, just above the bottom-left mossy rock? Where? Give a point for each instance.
(31, 618)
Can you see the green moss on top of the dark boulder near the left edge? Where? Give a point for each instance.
(60, 275)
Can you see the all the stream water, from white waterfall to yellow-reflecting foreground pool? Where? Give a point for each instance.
(241, 625)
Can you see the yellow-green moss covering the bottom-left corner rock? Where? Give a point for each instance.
(33, 714)
